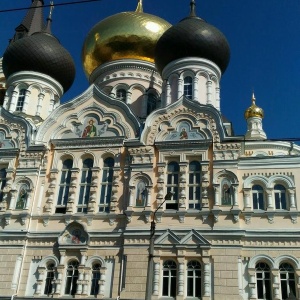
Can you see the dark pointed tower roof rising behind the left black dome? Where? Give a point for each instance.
(33, 21)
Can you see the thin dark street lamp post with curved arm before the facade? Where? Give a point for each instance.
(151, 248)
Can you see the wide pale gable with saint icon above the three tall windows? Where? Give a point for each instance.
(91, 115)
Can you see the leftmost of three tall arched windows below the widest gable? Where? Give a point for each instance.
(64, 186)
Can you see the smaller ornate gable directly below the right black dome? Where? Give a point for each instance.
(184, 121)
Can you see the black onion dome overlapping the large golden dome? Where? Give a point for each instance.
(192, 37)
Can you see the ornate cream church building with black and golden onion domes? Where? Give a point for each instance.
(145, 146)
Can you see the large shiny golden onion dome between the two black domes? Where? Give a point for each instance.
(131, 35)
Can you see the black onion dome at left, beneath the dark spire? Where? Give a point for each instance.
(40, 52)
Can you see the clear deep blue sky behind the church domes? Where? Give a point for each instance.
(264, 37)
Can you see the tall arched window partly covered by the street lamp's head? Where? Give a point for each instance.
(172, 184)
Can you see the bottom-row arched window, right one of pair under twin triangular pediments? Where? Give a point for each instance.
(194, 279)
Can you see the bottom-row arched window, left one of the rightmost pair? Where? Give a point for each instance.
(263, 281)
